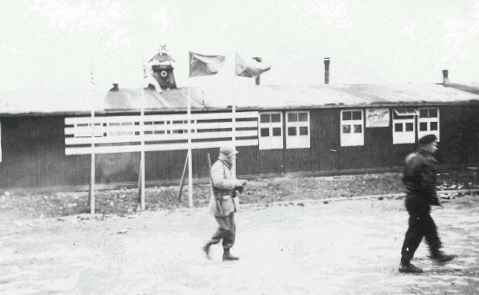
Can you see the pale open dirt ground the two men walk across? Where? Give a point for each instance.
(343, 247)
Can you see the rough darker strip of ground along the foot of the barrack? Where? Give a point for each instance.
(259, 191)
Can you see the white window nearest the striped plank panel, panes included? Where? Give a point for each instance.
(270, 131)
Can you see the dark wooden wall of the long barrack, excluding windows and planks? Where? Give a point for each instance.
(33, 152)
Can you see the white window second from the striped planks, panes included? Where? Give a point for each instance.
(297, 126)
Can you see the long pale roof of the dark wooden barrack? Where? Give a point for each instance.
(245, 97)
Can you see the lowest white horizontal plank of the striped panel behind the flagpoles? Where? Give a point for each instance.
(156, 147)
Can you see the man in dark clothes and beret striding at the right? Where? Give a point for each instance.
(419, 178)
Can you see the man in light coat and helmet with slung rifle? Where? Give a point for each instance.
(222, 205)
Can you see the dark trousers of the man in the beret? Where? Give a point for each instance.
(421, 225)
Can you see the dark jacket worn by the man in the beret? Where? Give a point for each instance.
(420, 176)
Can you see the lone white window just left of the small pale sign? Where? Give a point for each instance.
(352, 128)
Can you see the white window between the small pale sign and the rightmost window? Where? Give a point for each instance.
(404, 126)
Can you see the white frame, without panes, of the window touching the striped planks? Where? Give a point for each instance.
(270, 142)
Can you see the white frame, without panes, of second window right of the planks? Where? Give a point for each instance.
(297, 141)
